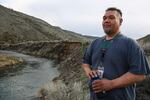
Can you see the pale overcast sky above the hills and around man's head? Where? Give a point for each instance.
(85, 16)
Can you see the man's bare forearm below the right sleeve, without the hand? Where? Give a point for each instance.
(127, 79)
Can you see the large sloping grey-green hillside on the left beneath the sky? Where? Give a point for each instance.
(18, 27)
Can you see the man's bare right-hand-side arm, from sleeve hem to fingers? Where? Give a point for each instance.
(123, 81)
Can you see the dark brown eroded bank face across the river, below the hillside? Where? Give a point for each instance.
(54, 50)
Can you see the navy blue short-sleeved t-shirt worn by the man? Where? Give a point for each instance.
(124, 55)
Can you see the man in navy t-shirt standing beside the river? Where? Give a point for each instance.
(123, 60)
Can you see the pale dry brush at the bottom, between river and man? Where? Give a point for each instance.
(59, 91)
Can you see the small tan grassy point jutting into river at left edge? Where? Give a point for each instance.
(7, 61)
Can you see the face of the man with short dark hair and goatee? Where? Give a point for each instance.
(111, 22)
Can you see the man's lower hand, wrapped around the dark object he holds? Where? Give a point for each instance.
(102, 85)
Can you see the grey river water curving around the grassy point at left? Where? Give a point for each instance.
(23, 82)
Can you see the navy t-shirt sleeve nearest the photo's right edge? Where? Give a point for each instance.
(138, 63)
